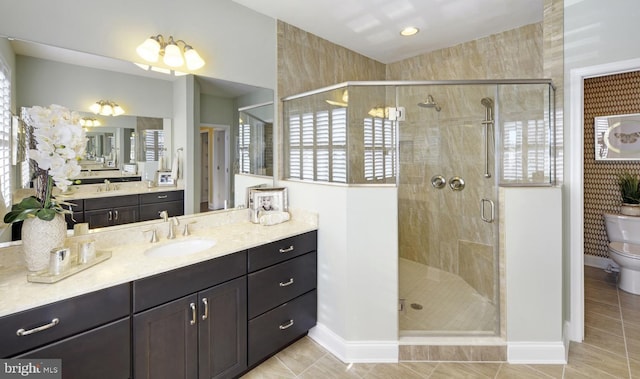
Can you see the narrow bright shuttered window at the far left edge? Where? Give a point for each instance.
(5, 134)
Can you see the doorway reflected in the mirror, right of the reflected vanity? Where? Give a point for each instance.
(215, 170)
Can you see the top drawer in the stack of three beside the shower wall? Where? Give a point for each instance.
(275, 252)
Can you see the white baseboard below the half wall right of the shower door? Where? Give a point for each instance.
(537, 352)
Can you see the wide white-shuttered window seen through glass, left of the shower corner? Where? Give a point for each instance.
(318, 146)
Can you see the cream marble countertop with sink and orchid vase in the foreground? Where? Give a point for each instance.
(231, 229)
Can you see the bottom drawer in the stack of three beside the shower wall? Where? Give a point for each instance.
(277, 328)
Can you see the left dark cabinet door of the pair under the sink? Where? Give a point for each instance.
(165, 341)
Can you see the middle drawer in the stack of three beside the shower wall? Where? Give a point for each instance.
(277, 284)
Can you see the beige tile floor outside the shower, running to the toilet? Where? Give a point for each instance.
(611, 349)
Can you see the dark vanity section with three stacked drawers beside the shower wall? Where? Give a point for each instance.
(282, 299)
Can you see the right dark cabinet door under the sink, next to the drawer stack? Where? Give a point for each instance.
(223, 330)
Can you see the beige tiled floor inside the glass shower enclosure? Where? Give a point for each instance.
(449, 304)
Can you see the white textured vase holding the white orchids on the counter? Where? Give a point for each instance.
(39, 237)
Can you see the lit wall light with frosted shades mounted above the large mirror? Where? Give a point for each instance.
(172, 55)
